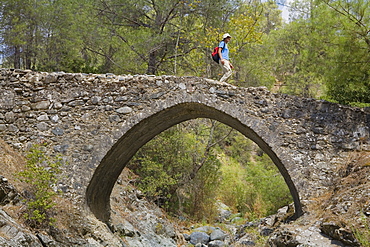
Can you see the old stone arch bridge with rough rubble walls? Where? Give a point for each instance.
(98, 122)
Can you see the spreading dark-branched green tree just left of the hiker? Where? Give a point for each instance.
(162, 35)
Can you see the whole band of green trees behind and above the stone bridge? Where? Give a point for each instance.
(322, 52)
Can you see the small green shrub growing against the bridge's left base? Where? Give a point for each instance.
(40, 174)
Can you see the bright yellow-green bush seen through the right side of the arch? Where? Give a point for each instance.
(255, 189)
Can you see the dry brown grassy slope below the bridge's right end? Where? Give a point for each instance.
(345, 201)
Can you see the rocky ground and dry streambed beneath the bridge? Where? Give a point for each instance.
(339, 218)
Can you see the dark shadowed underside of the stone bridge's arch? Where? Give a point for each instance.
(106, 174)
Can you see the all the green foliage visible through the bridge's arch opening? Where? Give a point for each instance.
(187, 168)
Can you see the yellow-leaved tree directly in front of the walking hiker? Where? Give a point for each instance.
(250, 25)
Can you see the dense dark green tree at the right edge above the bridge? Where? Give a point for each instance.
(348, 80)
